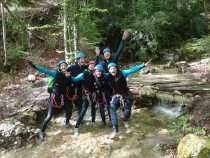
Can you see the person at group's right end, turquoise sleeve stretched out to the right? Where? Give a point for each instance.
(120, 93)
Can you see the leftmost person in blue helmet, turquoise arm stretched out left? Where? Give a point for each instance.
(62, 91)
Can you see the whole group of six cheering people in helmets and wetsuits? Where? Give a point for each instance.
(100, 83)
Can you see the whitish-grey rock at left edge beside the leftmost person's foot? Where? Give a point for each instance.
(14, 133)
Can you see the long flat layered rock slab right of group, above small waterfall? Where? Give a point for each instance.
(190, 83)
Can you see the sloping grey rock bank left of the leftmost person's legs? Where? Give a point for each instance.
(16, 98)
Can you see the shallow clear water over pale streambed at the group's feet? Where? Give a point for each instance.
(147, 132)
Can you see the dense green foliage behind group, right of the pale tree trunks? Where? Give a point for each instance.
(154, 24)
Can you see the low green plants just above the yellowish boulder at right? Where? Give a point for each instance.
(182, 126)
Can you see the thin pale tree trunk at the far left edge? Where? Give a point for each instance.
(4, 34)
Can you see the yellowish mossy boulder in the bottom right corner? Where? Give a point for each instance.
(192, 146)
